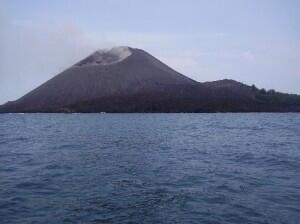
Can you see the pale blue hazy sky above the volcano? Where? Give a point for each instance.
(251, 41)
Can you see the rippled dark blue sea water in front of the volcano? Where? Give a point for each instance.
(150, 168)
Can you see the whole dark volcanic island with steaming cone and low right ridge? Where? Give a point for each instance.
(125, 79)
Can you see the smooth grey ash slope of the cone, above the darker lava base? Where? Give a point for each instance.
(90, 79)
